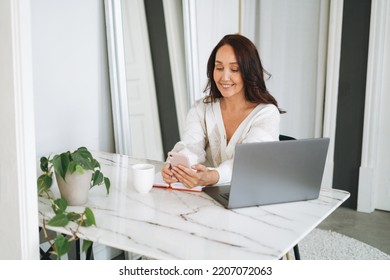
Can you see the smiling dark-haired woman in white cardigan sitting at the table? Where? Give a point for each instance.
(238, 109)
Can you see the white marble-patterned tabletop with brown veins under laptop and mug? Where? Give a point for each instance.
(169, 224)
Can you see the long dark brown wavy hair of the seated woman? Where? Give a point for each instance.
(251, 69)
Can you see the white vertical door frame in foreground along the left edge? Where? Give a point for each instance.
(18, 203)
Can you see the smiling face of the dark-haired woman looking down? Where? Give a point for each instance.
(227, 73)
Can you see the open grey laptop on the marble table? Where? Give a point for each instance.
(274, 172)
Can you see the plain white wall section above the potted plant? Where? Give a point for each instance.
(71, 83)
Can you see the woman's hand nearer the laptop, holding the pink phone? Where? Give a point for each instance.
(197, 175)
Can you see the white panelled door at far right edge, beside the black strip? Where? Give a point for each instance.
(374, 175)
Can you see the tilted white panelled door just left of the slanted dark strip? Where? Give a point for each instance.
(144, 121)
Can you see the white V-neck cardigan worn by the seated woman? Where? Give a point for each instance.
(204, 139)
